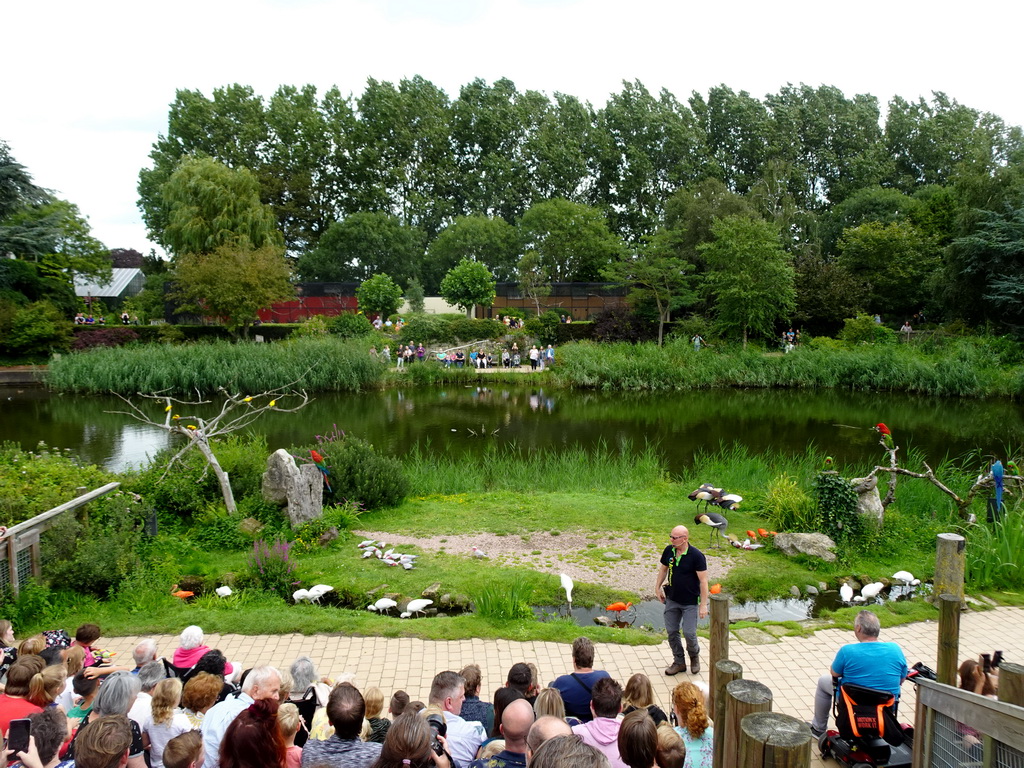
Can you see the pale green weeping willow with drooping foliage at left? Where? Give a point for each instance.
(210, 205)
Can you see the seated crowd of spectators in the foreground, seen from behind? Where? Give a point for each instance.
(188, 712)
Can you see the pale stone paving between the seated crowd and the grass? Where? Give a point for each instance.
(790, 667)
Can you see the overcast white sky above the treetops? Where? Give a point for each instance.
(87, 87)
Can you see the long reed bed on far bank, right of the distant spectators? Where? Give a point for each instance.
(961, 369)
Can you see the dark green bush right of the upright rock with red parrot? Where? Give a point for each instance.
(359, 474)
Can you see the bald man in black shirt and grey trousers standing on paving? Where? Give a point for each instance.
(685, 574)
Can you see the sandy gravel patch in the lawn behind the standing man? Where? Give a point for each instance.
(576, 553)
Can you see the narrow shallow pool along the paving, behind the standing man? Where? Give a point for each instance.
(651, 613)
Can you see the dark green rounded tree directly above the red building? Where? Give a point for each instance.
(363, 245)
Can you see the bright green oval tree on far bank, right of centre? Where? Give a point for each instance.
(750, 276)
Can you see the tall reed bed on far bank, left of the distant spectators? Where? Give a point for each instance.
(311, 364)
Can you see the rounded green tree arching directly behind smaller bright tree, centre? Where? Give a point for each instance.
(491, 241)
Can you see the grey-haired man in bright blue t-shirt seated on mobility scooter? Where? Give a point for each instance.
(869, 663)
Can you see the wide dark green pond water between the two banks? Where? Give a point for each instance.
(449, 420)
